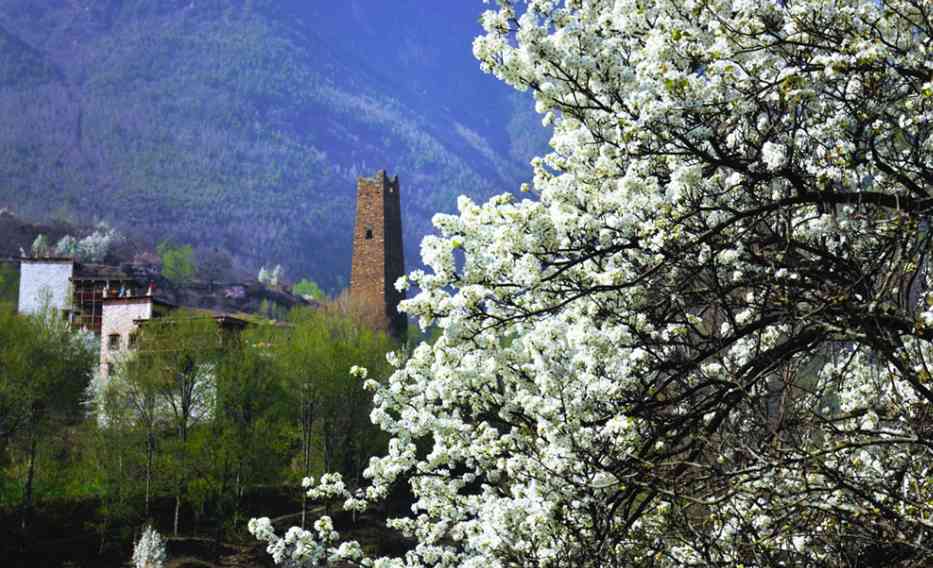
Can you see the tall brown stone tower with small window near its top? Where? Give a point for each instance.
(377, 253)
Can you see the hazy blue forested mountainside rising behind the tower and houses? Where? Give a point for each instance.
(242, 124)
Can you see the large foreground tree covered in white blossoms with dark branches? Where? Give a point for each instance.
(706, 337)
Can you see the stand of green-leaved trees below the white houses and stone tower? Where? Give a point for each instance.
(204, 415)
